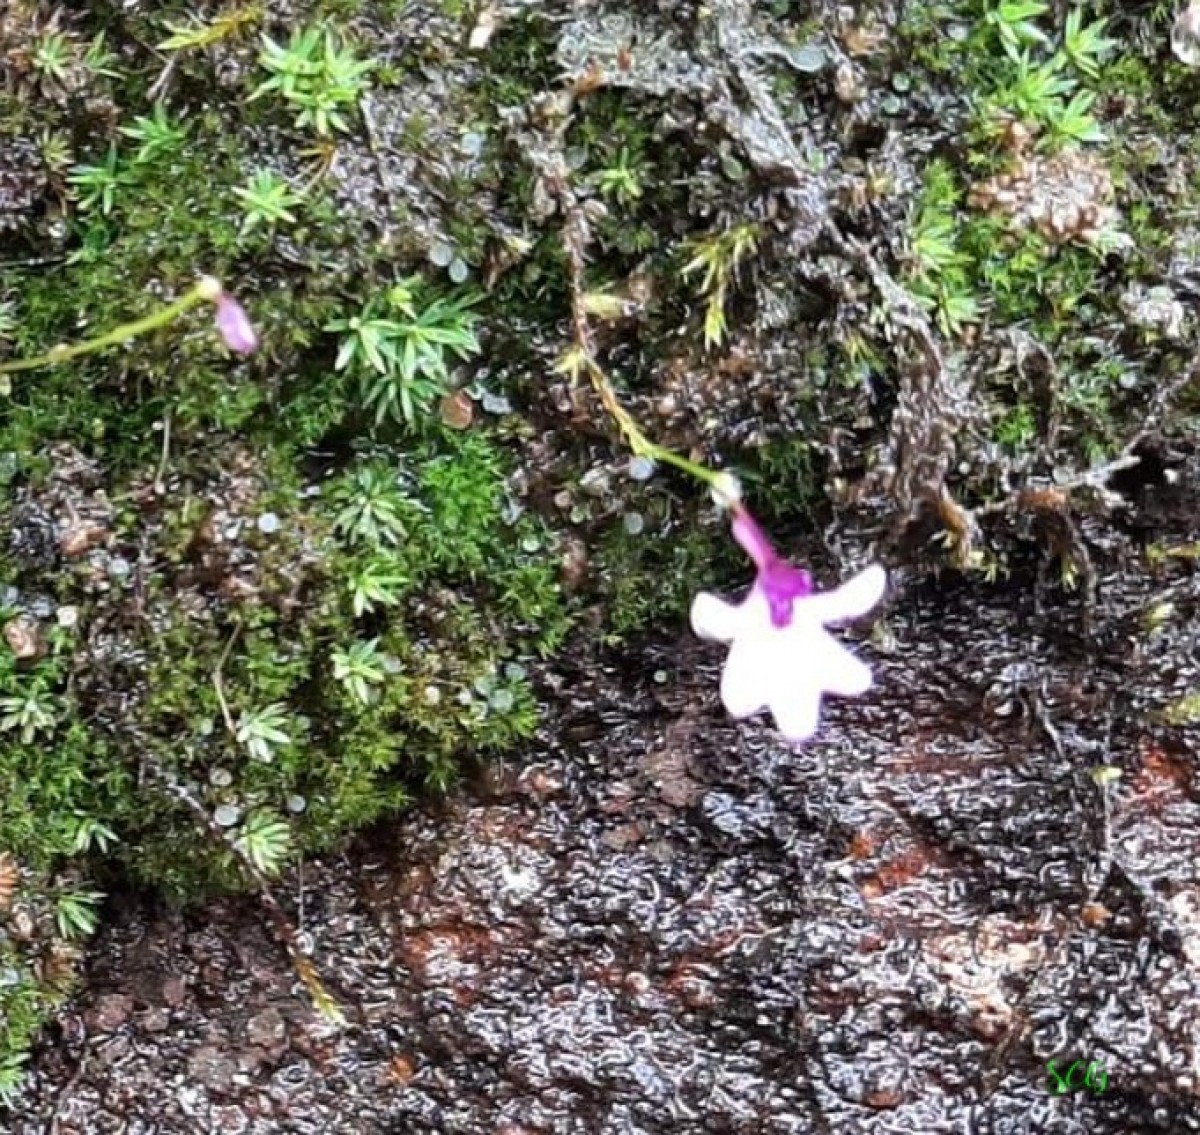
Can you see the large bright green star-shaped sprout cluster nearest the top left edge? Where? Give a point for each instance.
(316, 76)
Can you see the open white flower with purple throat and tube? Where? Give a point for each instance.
(782, 658)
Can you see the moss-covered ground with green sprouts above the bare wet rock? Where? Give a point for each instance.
(921, 274)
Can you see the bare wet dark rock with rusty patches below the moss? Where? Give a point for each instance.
(667, 922)
